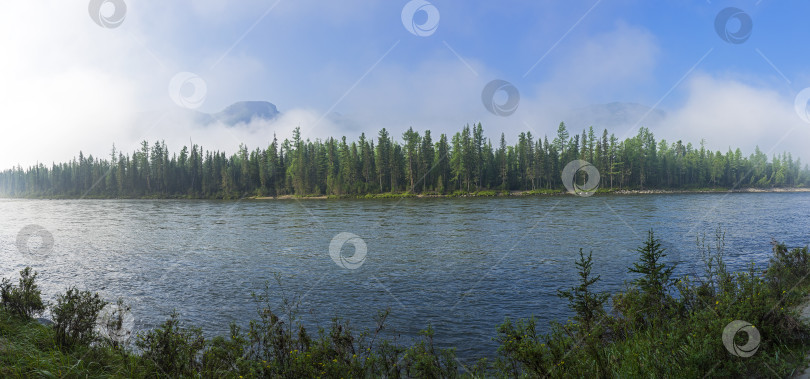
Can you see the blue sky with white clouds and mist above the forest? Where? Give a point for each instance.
(83, 75)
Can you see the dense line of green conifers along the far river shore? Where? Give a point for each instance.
(466, 162)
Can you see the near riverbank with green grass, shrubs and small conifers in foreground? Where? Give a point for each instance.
(659, 326)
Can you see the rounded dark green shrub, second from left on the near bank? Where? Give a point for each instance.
(75, 315)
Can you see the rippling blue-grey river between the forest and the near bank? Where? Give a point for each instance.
(461, 265)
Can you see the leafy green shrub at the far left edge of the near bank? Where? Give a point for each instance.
(23, 300)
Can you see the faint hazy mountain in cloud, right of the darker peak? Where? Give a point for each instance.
(614, 116)
